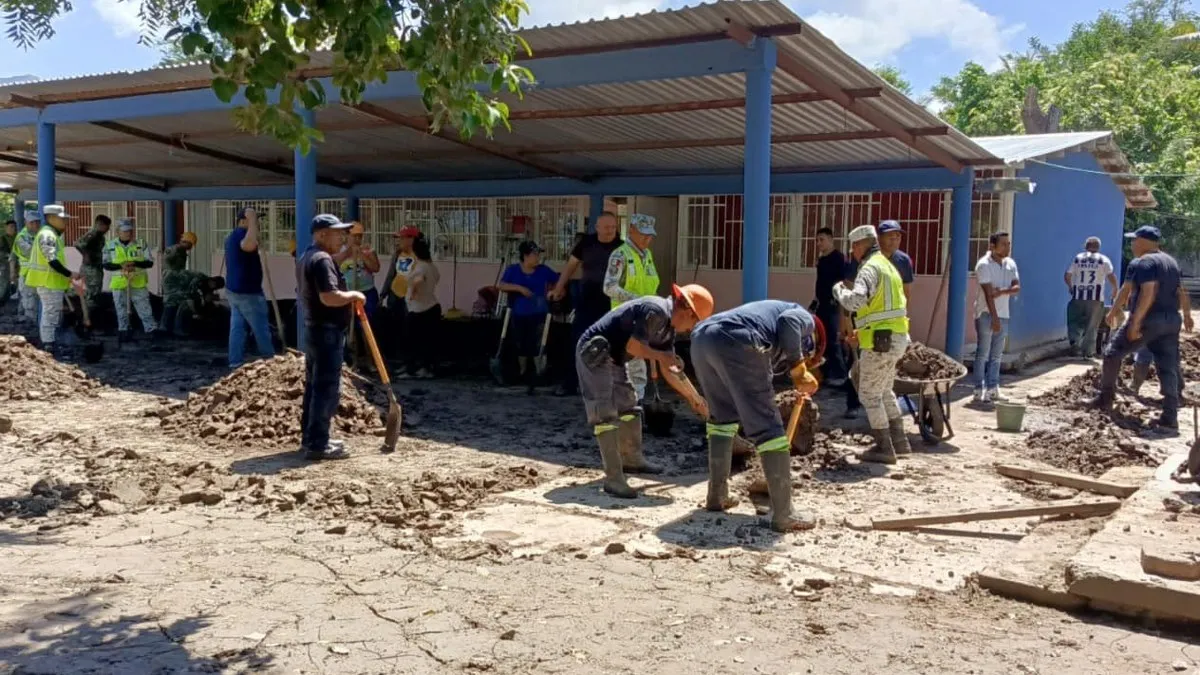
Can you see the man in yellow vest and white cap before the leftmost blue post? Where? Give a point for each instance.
(50, 277)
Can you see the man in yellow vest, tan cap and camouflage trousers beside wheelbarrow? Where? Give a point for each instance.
(881, 321)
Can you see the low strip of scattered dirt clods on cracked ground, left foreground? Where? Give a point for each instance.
(119, 481)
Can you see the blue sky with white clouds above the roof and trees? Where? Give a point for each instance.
(925, 39)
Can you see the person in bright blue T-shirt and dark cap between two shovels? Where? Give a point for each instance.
(527, 284)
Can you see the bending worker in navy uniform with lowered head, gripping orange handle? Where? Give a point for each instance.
(736, 355)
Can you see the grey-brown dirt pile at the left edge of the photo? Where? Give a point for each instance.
(33, 375)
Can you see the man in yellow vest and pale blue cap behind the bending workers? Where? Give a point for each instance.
(632, 274)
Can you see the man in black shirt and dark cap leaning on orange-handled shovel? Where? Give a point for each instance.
(326, 301)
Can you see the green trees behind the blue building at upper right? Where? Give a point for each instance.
(1120, 73)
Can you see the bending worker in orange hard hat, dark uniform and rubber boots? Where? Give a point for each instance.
(639, 330)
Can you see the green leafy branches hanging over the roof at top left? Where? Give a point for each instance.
(463, 52)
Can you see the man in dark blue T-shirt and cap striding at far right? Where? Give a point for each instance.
(1153, 290)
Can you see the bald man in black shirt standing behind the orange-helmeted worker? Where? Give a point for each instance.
(592, 255)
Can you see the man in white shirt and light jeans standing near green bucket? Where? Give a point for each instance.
(997, 274)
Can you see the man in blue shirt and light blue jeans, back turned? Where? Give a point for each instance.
(244, 290)
